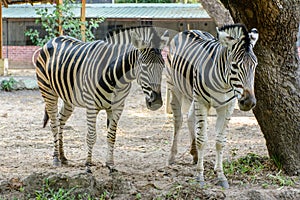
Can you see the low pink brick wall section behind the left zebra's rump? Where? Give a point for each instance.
(19, 57)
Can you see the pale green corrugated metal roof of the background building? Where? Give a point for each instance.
(118, 11)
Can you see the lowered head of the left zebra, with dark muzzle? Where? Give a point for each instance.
(149, 66)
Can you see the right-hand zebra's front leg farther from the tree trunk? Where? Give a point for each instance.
(201, 112)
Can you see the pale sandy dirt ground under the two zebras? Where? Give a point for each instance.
(141, 153)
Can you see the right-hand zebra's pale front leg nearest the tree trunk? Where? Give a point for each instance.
(224, 114)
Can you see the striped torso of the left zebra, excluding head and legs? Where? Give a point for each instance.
(67, 66)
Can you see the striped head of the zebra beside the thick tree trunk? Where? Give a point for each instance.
(242, 62)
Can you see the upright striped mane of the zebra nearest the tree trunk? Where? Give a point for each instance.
(238, 31)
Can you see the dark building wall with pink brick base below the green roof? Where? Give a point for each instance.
(19, 50)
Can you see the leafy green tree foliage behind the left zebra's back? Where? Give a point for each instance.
(63, 16)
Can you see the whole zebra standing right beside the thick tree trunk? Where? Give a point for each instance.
(206, 72)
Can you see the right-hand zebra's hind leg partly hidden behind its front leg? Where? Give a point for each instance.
(191, 125)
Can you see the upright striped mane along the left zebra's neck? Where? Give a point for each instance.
(146, 32)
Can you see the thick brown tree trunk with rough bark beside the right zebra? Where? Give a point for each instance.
(277, 80)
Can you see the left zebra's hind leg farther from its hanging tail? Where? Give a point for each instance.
(64, 114)
